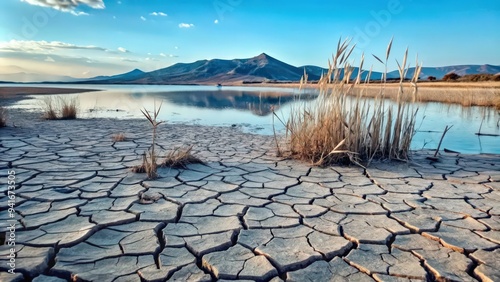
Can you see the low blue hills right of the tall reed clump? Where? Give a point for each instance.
(439, 72)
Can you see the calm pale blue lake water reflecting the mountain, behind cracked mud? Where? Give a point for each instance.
(249, 108)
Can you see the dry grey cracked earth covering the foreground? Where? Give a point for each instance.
(242, 215)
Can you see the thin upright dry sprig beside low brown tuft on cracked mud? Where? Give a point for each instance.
(149, 164)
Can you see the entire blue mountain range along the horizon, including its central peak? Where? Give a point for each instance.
(261, 68)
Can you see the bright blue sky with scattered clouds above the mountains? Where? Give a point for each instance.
(102, 37)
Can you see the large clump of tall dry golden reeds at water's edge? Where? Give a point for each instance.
(340, 128)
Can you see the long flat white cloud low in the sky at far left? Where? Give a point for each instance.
(42, 46)
